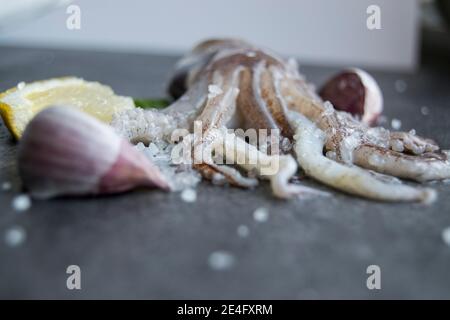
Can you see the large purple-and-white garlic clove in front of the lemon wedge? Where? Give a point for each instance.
(66, 152)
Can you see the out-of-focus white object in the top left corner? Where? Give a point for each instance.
(13, 12)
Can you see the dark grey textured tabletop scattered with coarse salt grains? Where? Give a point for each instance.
(148, 244)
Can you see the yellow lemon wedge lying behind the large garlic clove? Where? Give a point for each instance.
(20, 104)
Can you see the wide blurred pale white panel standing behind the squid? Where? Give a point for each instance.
(316, 31)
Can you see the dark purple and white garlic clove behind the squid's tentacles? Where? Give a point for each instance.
(355, 91)
